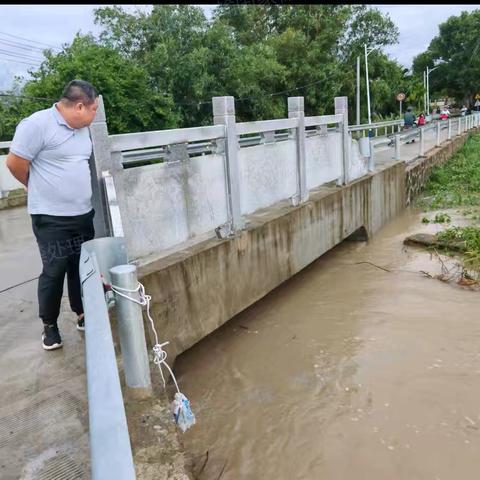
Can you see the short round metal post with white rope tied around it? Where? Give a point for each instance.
(131, 333)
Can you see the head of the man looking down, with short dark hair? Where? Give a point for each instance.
(79, 103)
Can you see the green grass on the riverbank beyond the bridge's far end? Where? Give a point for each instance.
(457, 183)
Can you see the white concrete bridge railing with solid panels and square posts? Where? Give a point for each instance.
(210, 177)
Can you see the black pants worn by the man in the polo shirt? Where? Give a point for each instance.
(59, 240)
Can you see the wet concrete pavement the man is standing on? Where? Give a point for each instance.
(43, 399)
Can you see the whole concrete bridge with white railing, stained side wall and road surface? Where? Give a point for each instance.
(230, 212)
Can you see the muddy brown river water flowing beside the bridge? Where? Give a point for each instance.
(346, 371)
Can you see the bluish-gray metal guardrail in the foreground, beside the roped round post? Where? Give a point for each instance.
(110, 449)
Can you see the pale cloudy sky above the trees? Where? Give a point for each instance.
(56, 25)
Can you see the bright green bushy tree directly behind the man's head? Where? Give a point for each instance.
(132, 102)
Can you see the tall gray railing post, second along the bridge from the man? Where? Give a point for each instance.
(224, 114)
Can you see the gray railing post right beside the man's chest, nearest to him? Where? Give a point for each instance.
(99, 162)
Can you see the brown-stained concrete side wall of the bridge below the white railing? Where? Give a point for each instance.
(198, 289)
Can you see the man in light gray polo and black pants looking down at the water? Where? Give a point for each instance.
(49, 154)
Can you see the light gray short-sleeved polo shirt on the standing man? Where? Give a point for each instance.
(59, 178)
